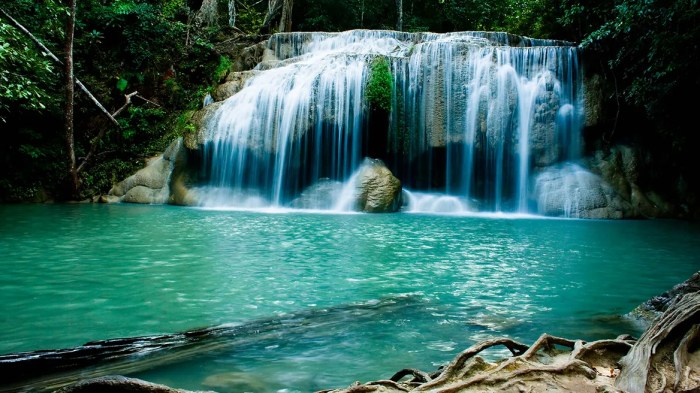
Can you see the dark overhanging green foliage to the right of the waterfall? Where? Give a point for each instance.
(647, 51)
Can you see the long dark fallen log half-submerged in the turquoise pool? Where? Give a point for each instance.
(48, 370)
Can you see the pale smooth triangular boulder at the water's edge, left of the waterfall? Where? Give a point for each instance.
(149, 185)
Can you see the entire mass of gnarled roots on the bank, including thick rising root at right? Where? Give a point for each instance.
(665, 359)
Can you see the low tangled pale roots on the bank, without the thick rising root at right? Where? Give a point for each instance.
(579, 367)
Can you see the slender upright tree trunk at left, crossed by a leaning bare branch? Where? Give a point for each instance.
(70, 91)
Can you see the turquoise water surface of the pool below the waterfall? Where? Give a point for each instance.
(354, 296)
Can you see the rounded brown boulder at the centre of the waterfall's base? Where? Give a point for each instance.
(377, 190)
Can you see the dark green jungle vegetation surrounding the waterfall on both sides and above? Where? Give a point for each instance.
(156, 59)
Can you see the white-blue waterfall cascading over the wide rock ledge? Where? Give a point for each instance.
(474, 117)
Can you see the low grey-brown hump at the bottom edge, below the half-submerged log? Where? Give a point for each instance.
(118, 384)
